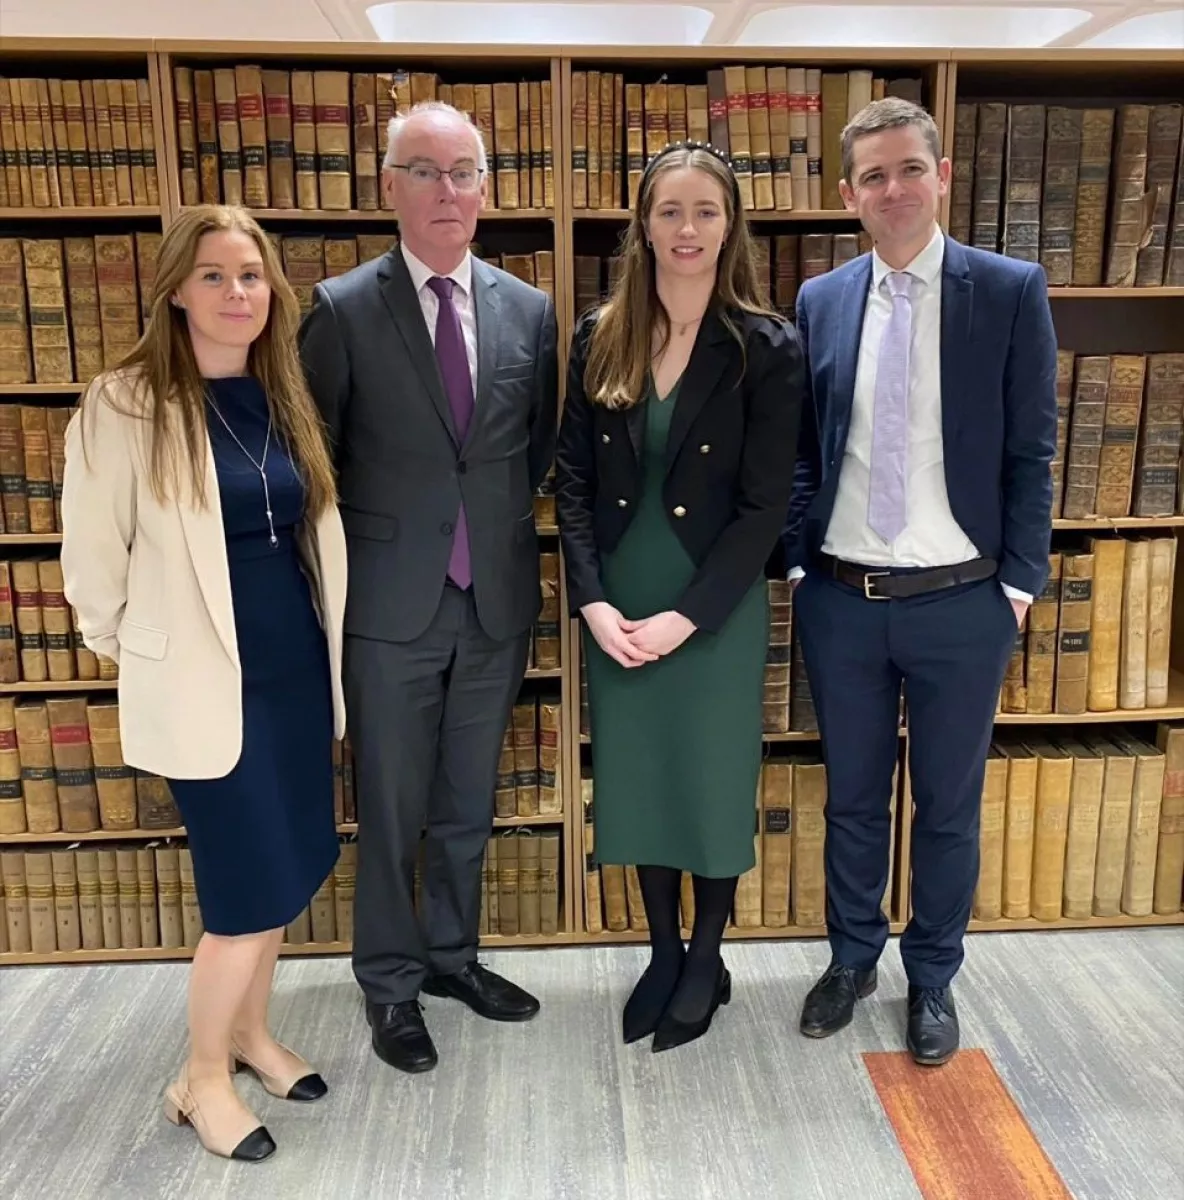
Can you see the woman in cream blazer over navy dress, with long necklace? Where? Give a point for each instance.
(205, 554)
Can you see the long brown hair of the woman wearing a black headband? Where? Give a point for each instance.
(622, 345)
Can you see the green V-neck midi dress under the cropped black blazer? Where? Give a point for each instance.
(677, 743)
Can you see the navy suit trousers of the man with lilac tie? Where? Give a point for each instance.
(949, 651)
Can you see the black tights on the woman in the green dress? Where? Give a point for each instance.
(698, 977)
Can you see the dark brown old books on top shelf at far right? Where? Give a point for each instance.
(1089, 191)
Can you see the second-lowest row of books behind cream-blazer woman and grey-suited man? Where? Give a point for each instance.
(63, 770)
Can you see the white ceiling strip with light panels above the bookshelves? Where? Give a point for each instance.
(1119, 25)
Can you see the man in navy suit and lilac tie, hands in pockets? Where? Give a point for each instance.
(918, 536)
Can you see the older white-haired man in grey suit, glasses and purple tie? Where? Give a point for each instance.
(437, 379)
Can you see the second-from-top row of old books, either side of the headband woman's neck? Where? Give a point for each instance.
(784, 263)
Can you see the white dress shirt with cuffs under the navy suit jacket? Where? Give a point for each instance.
(931, 536)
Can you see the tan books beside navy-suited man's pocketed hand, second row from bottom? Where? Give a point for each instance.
(1098, 638)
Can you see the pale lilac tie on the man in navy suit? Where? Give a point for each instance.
(886, 499)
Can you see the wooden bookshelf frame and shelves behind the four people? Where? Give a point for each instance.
(1091, 320)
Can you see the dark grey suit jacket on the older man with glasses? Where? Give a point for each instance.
(402, 471)
